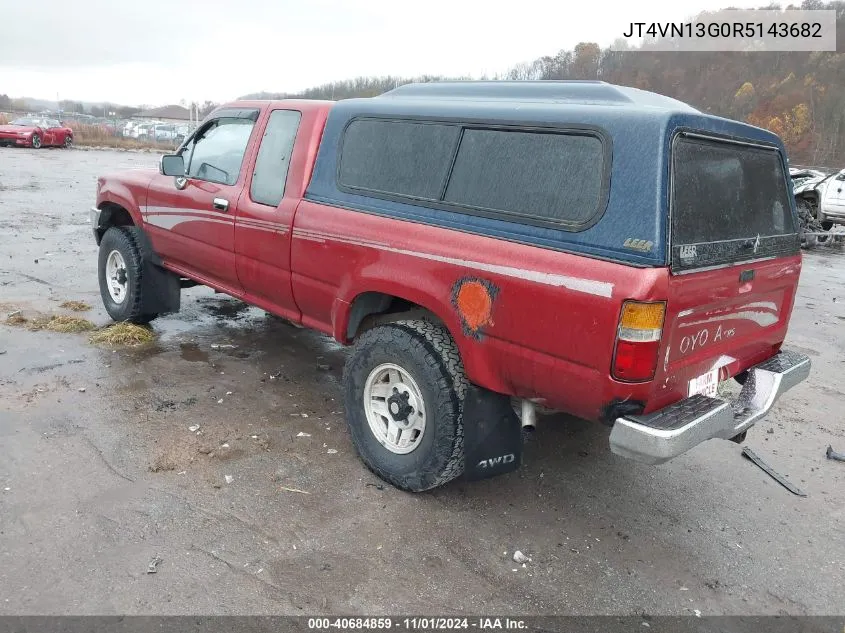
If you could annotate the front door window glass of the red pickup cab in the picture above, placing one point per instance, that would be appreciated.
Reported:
(216, 154)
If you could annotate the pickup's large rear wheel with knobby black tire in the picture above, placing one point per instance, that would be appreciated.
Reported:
(404, 390)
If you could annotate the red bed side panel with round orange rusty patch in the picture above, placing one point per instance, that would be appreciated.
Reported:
(528, 321)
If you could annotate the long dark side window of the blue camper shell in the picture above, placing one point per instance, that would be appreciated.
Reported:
(555, 177)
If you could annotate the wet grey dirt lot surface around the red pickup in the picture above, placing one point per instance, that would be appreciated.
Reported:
(248, 515)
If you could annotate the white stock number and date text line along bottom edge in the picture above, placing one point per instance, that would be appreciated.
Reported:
(417, 623)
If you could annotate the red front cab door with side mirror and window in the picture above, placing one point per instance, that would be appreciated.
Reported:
(191, 220)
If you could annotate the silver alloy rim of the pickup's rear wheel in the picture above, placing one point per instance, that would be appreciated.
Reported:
(395, 408)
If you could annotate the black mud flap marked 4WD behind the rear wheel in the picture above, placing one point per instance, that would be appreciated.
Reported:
(492, 434)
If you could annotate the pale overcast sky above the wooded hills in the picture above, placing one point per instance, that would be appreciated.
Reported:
(158, 52)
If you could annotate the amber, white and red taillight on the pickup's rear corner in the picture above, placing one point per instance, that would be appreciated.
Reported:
(638, 340)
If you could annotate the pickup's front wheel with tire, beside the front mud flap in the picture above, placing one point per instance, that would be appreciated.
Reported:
(121, 268)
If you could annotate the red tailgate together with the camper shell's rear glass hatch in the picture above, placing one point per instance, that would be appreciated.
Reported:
(735, 263)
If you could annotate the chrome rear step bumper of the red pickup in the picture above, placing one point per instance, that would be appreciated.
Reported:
(658, 437)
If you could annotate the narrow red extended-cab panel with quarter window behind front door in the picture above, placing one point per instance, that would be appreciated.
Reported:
(264, 218)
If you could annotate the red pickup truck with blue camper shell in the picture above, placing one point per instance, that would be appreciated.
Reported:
(488, 248)
